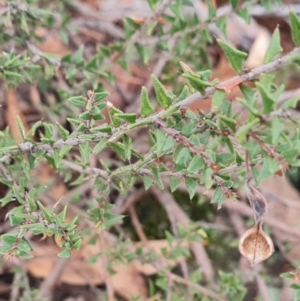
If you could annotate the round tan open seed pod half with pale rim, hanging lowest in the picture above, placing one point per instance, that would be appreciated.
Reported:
(256, 245)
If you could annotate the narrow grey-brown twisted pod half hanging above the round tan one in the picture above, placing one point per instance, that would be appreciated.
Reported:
(257, 200)
